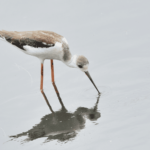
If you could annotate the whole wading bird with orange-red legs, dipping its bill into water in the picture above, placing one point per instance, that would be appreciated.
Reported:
(47, 45)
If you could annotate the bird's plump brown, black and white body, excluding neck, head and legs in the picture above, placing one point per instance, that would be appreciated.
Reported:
(44, 44)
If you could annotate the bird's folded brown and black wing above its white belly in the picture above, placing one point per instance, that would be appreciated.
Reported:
(32, 38)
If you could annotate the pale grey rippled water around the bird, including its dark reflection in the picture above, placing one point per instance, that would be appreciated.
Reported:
(114, 36)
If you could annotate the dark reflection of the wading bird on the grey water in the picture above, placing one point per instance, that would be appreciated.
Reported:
(61, 125)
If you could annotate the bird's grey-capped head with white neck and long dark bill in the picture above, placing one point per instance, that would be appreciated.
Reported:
(82, 63)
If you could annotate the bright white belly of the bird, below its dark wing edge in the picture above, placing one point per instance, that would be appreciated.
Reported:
(54, 52)
